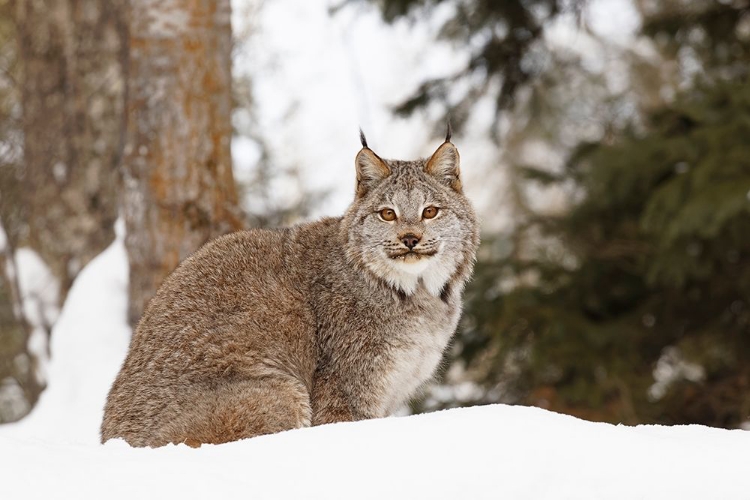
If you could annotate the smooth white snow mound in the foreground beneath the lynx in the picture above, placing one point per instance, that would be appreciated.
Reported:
(483, 452)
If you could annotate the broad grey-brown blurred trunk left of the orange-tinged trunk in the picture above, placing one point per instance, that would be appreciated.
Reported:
(73, 102)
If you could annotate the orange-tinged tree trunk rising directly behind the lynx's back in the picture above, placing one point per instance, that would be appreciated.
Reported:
(179, 187)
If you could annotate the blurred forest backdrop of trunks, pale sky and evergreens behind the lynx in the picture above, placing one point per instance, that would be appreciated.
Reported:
(613, 282)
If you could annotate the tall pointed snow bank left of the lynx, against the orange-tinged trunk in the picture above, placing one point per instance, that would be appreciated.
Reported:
(89, 342)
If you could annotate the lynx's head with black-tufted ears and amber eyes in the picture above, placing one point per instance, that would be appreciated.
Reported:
(410, 222)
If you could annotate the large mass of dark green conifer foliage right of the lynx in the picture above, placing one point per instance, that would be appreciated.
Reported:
(637, 306)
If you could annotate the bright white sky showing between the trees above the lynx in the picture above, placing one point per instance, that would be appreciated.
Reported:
(319, 77)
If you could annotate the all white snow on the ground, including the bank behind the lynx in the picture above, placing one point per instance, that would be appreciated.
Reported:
(485, 452)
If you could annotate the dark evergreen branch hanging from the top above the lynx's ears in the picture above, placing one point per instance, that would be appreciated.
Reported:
(502, 40)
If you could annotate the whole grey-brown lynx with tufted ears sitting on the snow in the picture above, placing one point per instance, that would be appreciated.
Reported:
(336, 320)
